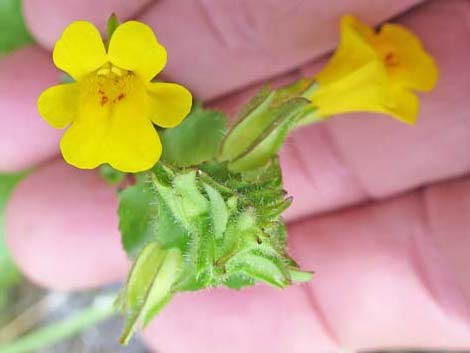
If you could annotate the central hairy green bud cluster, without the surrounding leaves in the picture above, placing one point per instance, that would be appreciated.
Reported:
(232, 230)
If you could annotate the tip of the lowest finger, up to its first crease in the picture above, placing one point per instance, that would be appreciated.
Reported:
(257, 319)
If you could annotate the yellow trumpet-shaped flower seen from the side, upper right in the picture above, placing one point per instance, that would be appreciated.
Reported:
(374, 72)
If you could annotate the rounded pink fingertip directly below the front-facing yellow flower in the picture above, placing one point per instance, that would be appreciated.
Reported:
(62, 229)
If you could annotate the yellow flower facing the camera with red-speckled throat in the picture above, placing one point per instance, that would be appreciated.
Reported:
(112, 105)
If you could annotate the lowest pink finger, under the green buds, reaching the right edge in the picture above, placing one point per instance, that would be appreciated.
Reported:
(385, 278)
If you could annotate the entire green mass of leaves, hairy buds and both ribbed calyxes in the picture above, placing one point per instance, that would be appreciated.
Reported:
(209, 213)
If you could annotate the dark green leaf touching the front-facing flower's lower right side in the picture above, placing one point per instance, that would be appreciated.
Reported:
(195, 140)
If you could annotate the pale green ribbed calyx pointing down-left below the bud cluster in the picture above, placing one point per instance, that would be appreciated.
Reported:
(149, 286)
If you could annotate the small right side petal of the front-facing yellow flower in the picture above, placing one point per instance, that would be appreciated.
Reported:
(170, 103)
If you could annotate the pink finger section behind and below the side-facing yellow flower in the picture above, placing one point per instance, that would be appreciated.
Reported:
(357, 157)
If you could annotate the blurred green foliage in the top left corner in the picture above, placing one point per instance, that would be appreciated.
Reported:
(13, 31)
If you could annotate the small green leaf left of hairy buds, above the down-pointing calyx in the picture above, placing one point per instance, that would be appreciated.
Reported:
(137, 213)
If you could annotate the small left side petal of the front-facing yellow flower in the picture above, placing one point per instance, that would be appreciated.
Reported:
(58, 104)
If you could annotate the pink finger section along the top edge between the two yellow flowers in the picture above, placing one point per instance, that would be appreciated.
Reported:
(216, 47)
